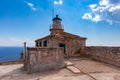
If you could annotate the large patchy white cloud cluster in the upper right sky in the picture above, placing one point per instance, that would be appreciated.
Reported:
(105, 10)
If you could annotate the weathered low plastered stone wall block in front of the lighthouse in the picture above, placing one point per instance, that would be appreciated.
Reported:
(41, 59)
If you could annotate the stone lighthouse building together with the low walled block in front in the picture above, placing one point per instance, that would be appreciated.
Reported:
(50, 51)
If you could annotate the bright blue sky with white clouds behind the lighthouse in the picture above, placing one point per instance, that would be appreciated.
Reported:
(27, 20)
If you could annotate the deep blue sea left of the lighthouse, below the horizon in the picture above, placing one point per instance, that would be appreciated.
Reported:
(10, 53)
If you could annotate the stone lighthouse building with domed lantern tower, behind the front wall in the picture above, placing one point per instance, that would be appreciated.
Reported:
(73, 45)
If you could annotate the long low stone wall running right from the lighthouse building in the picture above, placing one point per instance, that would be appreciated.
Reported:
(106, 54)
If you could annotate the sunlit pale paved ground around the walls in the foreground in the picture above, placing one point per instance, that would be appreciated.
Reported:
(90, 70)
